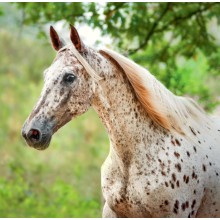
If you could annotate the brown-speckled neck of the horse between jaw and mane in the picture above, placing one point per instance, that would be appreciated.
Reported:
(115, 102)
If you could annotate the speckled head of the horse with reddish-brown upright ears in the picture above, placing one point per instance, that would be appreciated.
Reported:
(67, 92)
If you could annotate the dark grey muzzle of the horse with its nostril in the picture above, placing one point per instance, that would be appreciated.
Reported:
(37, 134)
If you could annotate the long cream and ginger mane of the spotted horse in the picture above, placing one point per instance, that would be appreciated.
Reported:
(171, 112)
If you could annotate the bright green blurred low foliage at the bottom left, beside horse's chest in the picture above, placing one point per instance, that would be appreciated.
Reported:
(19, 198)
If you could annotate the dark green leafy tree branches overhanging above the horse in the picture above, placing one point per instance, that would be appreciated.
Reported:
(134, 26)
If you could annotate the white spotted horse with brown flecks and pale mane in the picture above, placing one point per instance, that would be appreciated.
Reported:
(164, 149)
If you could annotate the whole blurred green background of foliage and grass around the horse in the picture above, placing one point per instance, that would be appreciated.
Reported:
(177, 42)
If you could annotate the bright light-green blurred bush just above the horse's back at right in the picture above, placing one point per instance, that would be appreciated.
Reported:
(191, 79)
